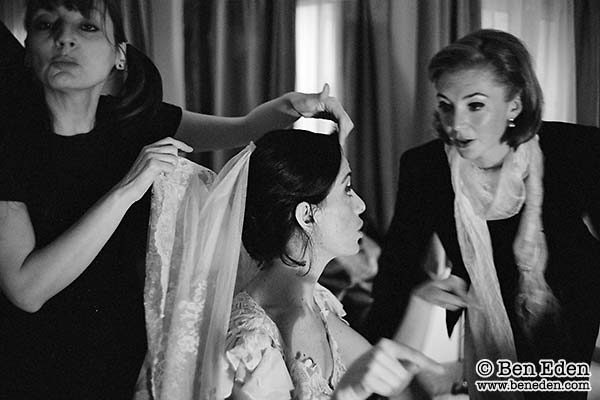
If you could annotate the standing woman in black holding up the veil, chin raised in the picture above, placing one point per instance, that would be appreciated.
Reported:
(75, 167)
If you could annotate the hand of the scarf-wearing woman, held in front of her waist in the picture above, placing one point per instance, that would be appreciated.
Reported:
(449, 293)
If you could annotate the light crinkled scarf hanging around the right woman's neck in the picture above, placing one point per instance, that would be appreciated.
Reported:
(488, 330)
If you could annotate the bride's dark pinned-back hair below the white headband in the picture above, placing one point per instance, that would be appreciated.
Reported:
(286, 168)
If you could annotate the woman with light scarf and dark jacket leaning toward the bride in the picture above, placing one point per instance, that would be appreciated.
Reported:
(507, 195)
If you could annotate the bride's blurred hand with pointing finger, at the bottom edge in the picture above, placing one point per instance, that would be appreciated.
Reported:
(386, 369)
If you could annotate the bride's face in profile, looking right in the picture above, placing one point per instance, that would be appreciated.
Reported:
(337, 222)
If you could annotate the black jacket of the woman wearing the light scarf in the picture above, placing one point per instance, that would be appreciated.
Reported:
(425, 204)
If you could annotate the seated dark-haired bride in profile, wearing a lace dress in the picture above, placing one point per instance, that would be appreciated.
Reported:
(301, 212)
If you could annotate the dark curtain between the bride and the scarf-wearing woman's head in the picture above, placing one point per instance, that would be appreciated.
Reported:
(387, 46)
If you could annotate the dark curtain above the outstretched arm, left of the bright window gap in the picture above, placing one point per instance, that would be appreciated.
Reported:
(239, 54)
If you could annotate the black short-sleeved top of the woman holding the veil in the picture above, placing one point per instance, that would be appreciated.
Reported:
(88, 341)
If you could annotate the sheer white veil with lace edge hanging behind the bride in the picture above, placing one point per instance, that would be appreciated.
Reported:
(191, 265)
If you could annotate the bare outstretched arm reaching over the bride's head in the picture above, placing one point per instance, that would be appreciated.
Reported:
(207, 132)
